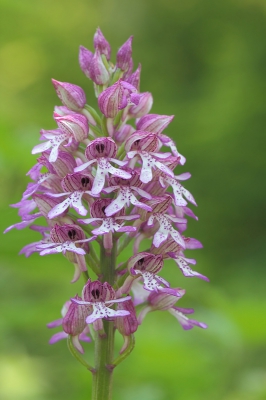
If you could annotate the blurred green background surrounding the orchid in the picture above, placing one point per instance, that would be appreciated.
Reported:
(205, 62)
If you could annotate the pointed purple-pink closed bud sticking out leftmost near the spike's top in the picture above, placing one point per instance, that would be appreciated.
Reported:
(72, 96)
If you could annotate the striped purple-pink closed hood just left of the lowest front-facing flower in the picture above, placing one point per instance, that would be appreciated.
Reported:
(74, 322)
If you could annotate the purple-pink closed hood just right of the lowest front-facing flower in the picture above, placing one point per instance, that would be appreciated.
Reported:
(128, 324)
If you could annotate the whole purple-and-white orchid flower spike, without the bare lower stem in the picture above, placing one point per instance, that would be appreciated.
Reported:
(109, 184)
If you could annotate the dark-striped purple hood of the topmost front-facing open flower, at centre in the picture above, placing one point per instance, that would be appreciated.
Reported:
(101, 147)
